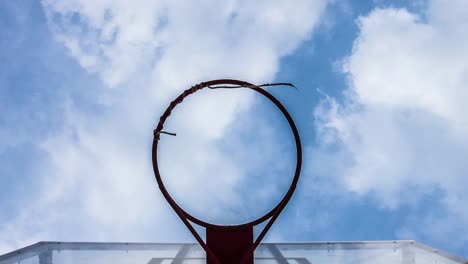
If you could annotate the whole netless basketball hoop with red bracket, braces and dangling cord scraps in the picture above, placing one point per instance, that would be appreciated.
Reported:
(228, 243)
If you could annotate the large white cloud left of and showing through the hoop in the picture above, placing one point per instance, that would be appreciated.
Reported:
(98, 184)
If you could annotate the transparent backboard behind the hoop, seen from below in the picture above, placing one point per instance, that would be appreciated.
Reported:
(375, 252)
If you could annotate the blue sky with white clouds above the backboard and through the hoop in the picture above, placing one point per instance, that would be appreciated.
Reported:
(380, 109)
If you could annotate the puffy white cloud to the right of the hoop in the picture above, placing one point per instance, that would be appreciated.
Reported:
(401, 130)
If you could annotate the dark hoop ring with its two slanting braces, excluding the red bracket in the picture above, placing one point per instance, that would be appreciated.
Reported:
(185, 216)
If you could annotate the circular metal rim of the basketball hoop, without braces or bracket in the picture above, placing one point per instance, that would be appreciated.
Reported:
(285, 113)
